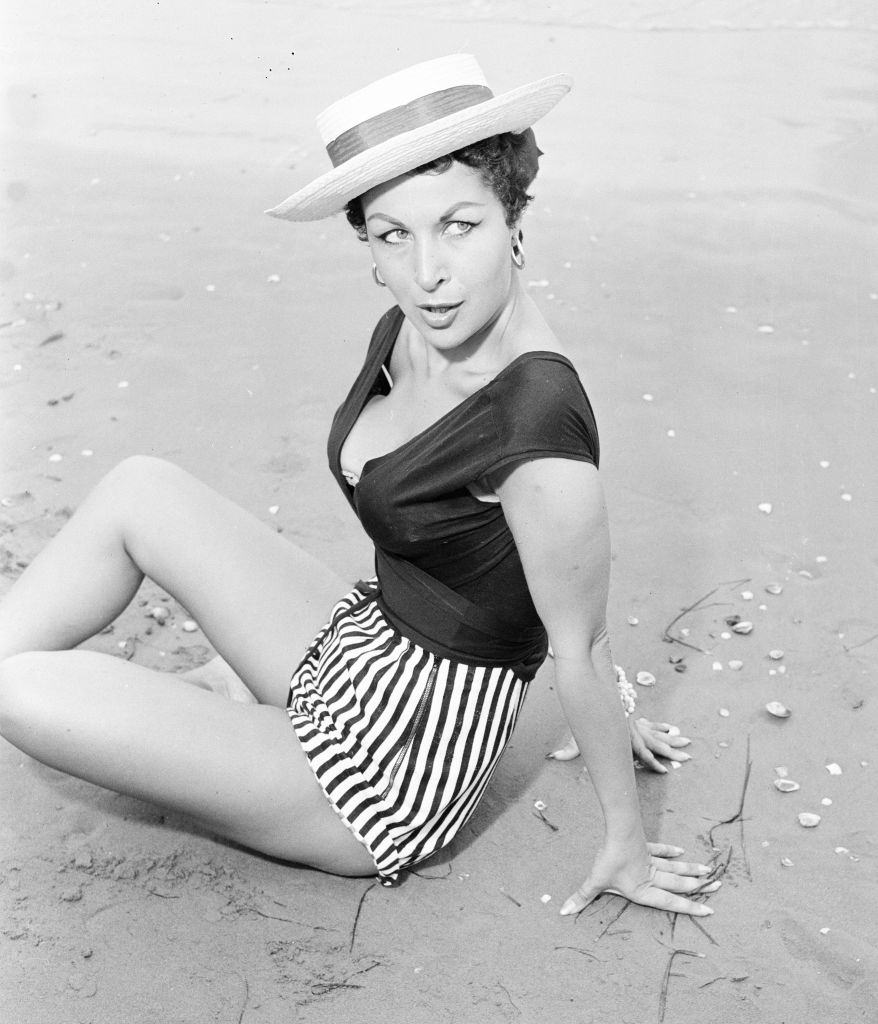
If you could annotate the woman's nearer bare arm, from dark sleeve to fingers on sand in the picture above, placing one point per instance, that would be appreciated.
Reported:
(557, 514)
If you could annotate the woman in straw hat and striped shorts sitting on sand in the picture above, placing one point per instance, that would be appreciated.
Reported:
(469, 450)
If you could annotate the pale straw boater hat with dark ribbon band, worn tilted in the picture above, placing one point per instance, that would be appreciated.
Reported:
(408, 119)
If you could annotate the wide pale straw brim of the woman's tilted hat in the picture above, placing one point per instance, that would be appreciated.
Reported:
(513, 112)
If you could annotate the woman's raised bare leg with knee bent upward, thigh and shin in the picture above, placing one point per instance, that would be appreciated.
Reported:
(259, 599)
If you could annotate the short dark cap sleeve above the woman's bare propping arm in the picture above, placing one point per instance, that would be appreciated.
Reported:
(541, 410)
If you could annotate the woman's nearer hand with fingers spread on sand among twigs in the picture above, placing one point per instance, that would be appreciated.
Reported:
(651, 877)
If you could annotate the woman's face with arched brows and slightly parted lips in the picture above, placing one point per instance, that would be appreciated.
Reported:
(442, 245)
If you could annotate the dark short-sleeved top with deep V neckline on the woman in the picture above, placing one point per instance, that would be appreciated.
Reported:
(449, 573)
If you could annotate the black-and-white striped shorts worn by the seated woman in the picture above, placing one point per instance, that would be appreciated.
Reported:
(402, 741)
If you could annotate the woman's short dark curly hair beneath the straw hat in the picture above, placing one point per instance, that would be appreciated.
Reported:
(508, 164)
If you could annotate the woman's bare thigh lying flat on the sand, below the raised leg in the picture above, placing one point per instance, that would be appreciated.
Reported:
(237, 769)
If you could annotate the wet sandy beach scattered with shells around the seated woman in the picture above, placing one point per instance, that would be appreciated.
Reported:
(703, 241)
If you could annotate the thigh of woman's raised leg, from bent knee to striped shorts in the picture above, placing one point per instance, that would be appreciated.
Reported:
(259, 599)
